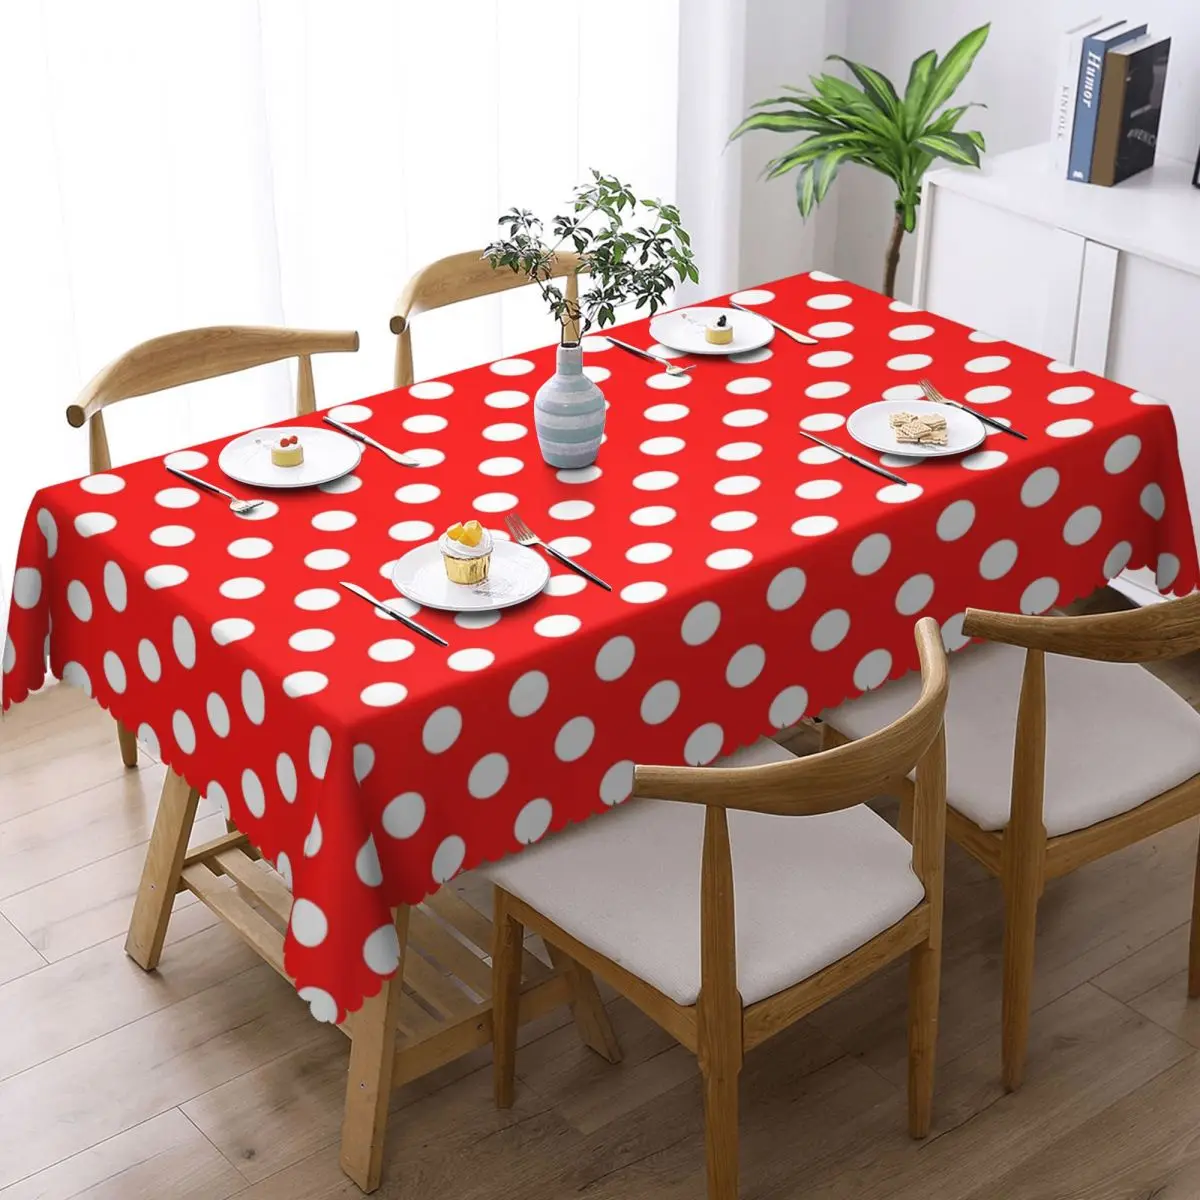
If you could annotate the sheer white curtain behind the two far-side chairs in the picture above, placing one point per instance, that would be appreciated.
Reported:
(172, 164)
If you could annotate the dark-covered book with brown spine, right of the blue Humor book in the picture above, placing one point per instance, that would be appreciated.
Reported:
(1130, 110)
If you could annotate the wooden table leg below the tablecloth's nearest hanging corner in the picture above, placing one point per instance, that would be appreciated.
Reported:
(373, 1063)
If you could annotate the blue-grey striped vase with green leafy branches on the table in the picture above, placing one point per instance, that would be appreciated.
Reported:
(633, 251)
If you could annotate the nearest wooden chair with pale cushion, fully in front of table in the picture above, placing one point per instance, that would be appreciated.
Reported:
(821, 903)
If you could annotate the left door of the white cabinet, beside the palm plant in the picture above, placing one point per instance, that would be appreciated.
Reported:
(1000, 273)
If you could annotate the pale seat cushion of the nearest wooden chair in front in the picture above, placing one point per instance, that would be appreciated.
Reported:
(807, 890)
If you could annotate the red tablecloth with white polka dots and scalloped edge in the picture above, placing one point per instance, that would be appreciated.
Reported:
(757, 579)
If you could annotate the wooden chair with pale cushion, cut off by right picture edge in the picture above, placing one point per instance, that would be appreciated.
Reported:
(1058, 757)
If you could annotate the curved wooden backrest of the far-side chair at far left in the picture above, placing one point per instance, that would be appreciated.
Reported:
(191, 356)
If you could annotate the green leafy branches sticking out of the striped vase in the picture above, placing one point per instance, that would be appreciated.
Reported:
(628, 263)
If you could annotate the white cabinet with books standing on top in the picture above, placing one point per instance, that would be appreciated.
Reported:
(1105, 278)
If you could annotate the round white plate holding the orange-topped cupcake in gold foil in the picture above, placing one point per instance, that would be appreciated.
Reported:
(518, 574)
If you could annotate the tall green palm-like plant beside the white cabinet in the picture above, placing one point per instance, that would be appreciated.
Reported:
(872, 124)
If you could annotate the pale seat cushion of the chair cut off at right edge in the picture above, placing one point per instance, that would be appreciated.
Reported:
(1117, 736)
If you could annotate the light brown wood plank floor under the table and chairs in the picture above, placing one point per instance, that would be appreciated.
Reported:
(208, 1079)
